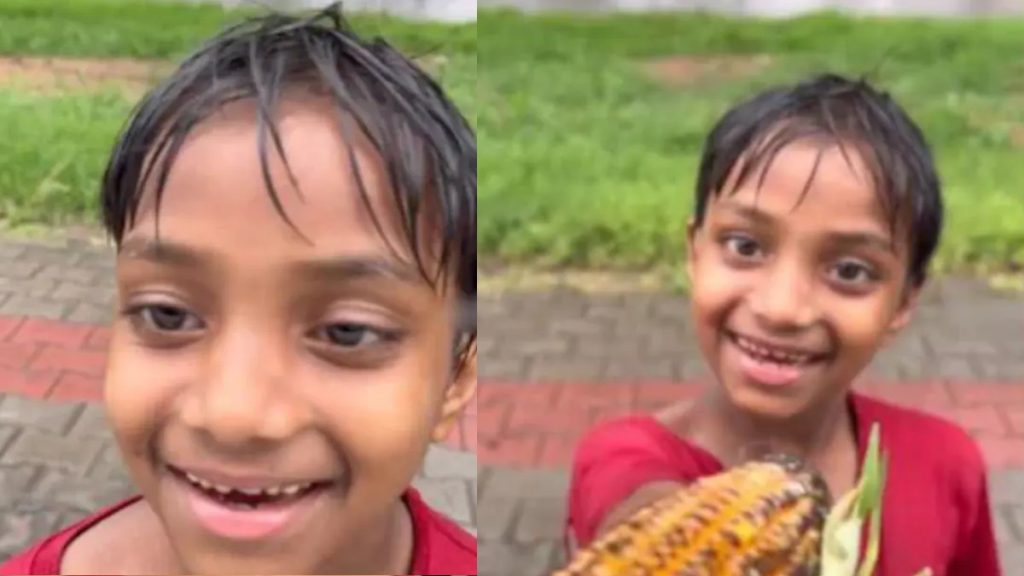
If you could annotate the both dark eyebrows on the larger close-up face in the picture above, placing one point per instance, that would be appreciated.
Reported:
(350, 269)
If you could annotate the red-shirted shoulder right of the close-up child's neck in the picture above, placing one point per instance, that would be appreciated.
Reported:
(442, 546)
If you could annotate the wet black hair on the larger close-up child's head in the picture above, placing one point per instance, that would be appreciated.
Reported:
(428, 148)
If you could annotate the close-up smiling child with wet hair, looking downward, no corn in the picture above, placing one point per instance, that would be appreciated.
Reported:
(295, 218)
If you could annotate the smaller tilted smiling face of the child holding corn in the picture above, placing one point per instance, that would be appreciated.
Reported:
(793, 298)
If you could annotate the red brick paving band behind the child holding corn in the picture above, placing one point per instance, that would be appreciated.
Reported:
(538, 425)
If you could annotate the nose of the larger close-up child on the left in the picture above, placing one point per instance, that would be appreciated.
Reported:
(243, 396)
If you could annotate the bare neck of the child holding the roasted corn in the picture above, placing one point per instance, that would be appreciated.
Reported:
(738, 436)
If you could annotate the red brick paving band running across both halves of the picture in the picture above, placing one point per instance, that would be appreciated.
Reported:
(535, 425)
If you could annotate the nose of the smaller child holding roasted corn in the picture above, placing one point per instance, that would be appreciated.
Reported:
(785, 299)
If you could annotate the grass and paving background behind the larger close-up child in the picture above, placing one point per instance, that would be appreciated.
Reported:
(70, 73)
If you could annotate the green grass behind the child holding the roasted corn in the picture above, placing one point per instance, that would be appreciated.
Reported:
(587, 162)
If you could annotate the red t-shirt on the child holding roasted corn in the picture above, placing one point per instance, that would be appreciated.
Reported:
(936, 510)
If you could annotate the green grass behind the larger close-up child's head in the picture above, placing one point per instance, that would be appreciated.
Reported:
(57, 141)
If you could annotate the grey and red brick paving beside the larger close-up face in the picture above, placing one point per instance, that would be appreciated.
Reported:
(58, 461)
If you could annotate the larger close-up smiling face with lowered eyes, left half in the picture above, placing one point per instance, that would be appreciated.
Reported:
(248, 357)
